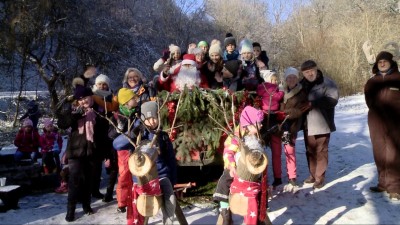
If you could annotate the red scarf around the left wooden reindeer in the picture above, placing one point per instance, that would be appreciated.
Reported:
(152, 188)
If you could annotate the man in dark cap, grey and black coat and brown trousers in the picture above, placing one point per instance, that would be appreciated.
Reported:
(323, 96)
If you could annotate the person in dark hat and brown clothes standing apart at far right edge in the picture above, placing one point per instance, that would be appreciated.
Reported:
(382, 95)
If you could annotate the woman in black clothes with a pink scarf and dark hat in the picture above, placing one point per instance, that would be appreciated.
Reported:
(81, 151)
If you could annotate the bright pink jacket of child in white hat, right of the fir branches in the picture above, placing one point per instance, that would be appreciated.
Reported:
(271, 96)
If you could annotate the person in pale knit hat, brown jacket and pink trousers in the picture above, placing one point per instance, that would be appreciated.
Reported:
(294, 99)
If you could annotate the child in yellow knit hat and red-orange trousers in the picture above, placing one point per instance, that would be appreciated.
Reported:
(128, 102)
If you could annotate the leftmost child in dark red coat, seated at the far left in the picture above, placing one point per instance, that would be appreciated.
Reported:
(27, 142)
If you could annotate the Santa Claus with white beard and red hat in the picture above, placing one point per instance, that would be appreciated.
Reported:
(184, 75)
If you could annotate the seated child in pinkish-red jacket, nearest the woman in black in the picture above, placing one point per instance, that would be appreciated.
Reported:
(51, 146)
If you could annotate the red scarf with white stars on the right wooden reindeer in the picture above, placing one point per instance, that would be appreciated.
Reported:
(250, 190)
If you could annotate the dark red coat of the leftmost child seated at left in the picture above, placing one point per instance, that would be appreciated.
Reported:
(27, 142)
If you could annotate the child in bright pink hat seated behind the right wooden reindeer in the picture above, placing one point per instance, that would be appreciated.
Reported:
(250, 122)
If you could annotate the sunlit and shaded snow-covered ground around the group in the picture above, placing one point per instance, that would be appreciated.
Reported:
(345, 199)
